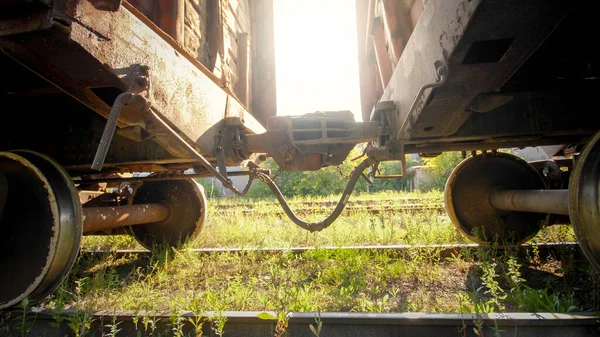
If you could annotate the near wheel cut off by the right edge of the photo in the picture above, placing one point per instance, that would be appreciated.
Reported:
(584, 202)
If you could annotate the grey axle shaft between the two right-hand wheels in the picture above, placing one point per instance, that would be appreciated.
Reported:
(536, 201)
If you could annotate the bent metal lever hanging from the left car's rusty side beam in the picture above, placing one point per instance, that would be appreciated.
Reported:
(139, 84)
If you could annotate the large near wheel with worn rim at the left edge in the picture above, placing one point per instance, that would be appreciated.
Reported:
(40, 226)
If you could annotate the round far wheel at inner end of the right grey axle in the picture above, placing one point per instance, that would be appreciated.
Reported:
(467, 199)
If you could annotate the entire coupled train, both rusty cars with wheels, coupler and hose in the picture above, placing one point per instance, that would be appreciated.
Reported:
(96, 91)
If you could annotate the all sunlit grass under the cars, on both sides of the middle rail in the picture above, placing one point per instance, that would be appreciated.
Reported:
(330, 280)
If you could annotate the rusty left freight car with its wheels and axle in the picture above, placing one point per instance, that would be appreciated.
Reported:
(99, 90)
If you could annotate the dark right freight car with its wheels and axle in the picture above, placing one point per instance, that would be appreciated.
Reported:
(478, 76)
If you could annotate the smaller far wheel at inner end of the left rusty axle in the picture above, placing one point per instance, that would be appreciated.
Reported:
(187, 212)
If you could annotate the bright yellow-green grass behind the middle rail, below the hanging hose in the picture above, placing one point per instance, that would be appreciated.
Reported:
(230, 225)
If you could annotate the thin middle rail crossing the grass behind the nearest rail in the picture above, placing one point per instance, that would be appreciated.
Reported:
(444, 250)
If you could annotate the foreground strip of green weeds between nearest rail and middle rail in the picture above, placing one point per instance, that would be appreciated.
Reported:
(326, 280)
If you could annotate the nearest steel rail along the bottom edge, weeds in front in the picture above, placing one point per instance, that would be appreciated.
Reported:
(51, 323)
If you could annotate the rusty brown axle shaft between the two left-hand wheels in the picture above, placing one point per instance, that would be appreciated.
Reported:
(98, 218)
